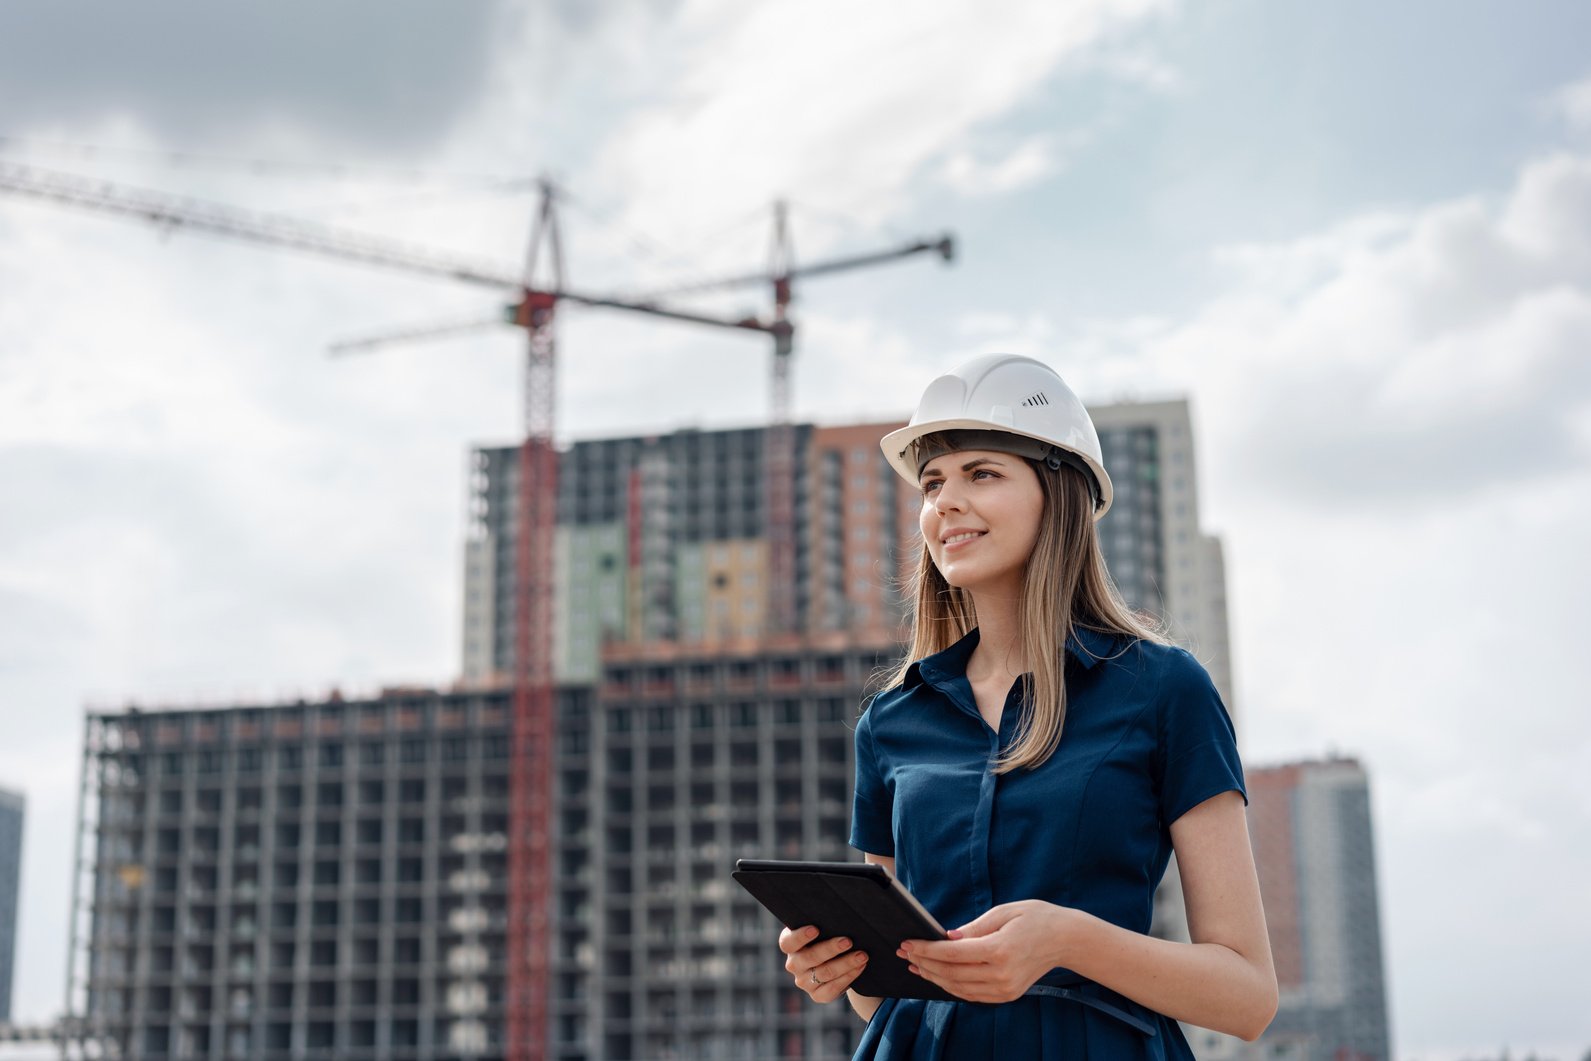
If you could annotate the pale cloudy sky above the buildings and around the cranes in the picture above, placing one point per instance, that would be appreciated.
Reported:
(1358, 236)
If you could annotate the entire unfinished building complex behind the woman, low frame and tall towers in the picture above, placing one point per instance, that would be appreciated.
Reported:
(332, 879)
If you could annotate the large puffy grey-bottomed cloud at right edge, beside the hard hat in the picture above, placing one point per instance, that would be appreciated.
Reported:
(1396, 359)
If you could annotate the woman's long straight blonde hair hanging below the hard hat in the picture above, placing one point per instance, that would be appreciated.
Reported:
(1067, 588)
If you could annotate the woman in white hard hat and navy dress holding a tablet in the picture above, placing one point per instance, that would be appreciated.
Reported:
(1037, 761)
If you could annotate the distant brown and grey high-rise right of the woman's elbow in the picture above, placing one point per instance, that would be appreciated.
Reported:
(1315, 852)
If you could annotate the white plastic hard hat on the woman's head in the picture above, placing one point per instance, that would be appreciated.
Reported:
(1006, 403)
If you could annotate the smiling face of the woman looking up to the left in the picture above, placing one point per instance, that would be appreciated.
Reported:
(981, 519)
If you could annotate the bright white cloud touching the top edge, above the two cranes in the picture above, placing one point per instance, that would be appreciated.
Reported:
(850, 119)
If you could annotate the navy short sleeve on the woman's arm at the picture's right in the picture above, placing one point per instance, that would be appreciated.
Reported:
(1199, 748)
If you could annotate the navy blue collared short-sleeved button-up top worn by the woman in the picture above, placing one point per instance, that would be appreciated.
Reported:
(1145, 740)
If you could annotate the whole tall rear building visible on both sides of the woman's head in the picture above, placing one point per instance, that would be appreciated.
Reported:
(664, 538)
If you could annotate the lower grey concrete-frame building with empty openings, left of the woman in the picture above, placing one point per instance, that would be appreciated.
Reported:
(329, 880)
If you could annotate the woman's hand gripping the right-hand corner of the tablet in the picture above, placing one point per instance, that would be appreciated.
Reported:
(997, 957)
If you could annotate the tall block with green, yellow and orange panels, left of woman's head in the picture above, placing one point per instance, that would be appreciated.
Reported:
(664, 538)
